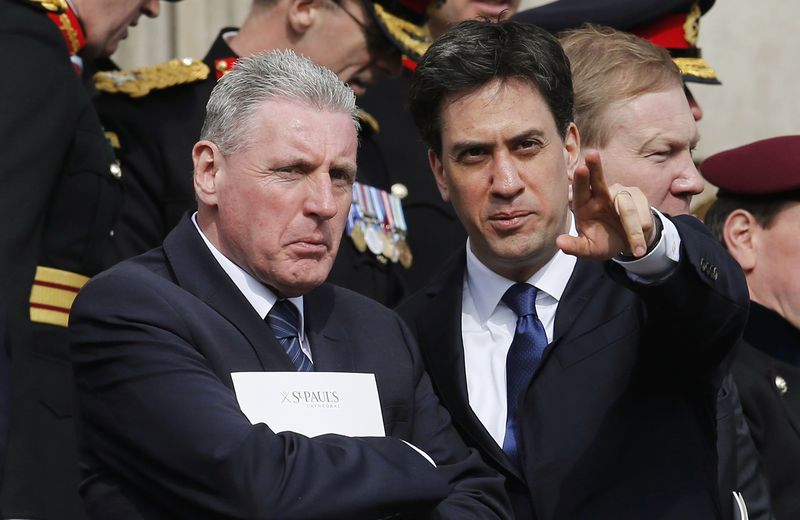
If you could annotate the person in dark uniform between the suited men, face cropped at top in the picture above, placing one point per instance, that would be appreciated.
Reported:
(434, 230)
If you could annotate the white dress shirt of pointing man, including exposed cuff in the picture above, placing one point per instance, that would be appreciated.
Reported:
(487, 324)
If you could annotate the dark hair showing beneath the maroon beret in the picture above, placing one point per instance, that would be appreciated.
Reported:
(764, 209)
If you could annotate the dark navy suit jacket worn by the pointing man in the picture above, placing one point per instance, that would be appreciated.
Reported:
(619, 421)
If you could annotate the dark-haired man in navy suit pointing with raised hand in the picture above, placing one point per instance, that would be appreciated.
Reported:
(568, 349)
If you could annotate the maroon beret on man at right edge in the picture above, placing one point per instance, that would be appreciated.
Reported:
(764, 167)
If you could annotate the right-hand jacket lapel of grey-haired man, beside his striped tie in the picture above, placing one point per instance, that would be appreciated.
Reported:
(327, 335)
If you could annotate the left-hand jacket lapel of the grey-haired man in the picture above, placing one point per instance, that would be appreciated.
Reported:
(197, 271)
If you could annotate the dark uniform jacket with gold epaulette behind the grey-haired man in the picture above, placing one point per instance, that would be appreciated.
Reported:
(156, 133)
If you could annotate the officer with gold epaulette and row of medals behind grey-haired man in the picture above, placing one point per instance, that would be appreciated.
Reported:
(157, 112)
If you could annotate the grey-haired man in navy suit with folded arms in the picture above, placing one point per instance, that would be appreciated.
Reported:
(156, 339)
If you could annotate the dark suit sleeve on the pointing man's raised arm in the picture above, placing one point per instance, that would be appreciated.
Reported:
(702, 303)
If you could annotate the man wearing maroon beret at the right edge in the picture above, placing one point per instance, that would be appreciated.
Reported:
(756, 216)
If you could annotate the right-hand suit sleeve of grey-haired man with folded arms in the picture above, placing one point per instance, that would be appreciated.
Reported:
(476, 491)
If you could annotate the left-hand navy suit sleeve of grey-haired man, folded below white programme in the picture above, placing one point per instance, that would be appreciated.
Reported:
(153, 414)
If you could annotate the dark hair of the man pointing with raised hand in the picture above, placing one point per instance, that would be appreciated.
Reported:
(475, 53)
